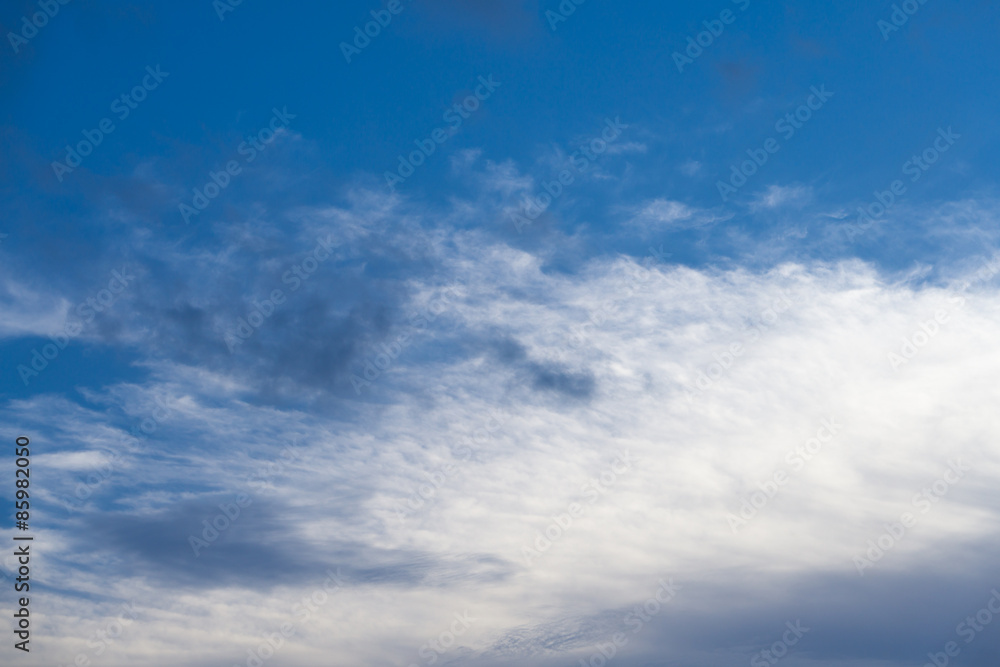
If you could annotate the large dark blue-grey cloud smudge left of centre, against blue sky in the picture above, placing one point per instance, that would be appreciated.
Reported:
(303, 346)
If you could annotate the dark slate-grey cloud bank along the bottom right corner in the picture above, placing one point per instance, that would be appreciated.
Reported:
(884, 618)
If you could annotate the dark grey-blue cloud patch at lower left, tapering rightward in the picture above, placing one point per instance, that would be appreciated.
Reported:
(257, 550)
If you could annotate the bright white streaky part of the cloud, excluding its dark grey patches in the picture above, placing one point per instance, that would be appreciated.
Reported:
(820, 352)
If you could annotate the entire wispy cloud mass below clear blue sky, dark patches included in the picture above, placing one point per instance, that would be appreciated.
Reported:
(484, 424)
